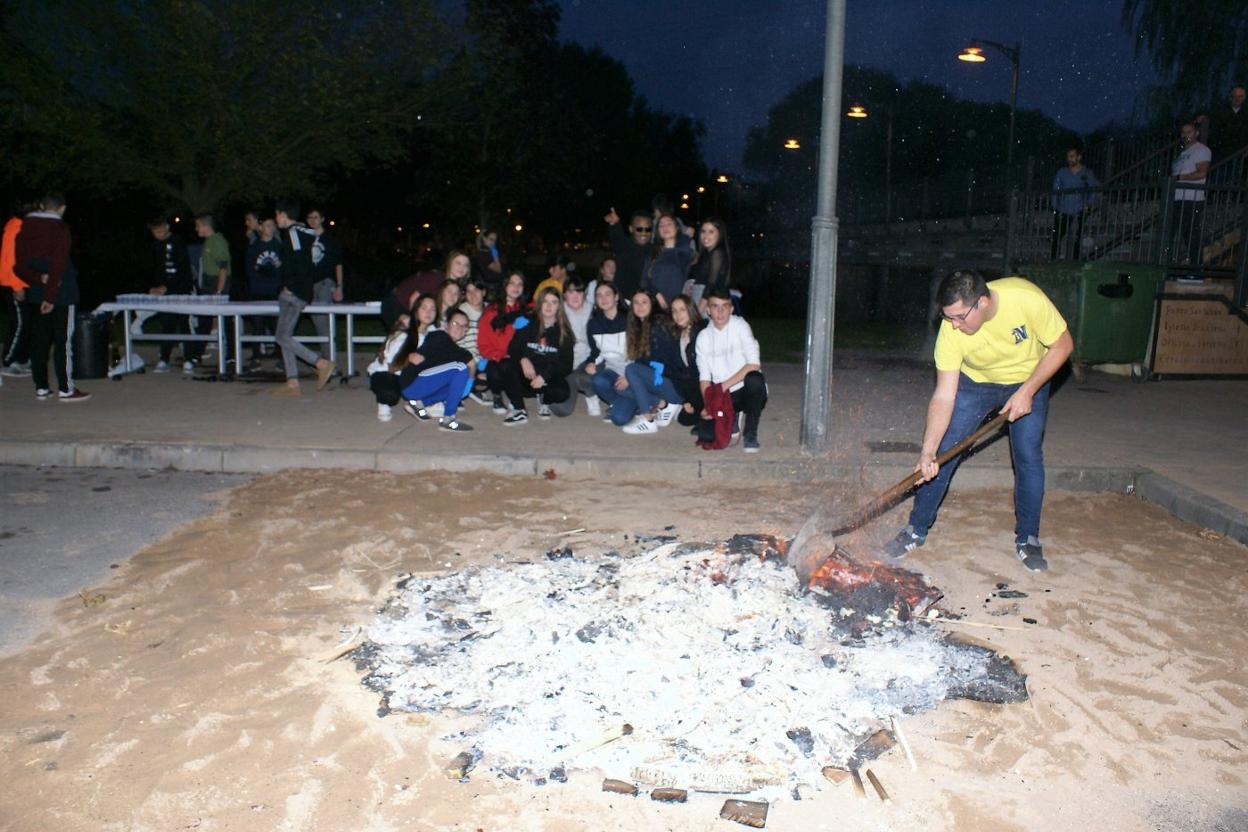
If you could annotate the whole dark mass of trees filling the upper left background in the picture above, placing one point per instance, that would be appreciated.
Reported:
(399, 112)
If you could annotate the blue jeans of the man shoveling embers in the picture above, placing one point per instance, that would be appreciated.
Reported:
(977, 401)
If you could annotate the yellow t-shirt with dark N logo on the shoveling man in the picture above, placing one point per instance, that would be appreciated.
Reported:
(1005, 350)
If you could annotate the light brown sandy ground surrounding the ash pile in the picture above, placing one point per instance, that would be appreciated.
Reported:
(192, 692)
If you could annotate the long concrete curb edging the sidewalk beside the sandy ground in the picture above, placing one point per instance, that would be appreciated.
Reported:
(1182, 502)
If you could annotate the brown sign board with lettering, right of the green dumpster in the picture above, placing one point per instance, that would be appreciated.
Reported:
(1199, 334)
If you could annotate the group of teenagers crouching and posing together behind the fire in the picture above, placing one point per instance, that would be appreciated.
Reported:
(645, 351)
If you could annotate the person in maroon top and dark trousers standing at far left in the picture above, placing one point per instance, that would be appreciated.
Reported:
(42, 259)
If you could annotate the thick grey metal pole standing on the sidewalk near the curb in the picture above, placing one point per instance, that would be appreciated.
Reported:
(817, 397)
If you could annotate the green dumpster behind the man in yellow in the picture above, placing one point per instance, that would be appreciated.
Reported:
(1109, 307)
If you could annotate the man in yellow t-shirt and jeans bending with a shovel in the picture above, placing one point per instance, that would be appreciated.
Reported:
(998, 347)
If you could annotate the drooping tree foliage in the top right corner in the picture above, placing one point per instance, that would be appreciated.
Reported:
(1200, 49)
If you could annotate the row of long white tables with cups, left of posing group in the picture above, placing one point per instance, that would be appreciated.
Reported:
(239, 311)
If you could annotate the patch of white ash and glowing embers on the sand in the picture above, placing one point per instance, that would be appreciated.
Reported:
(701, 667)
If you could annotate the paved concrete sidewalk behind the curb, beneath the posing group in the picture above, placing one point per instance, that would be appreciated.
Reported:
(1182, 445)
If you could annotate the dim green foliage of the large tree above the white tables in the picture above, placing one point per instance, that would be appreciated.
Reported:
(199, 103)
